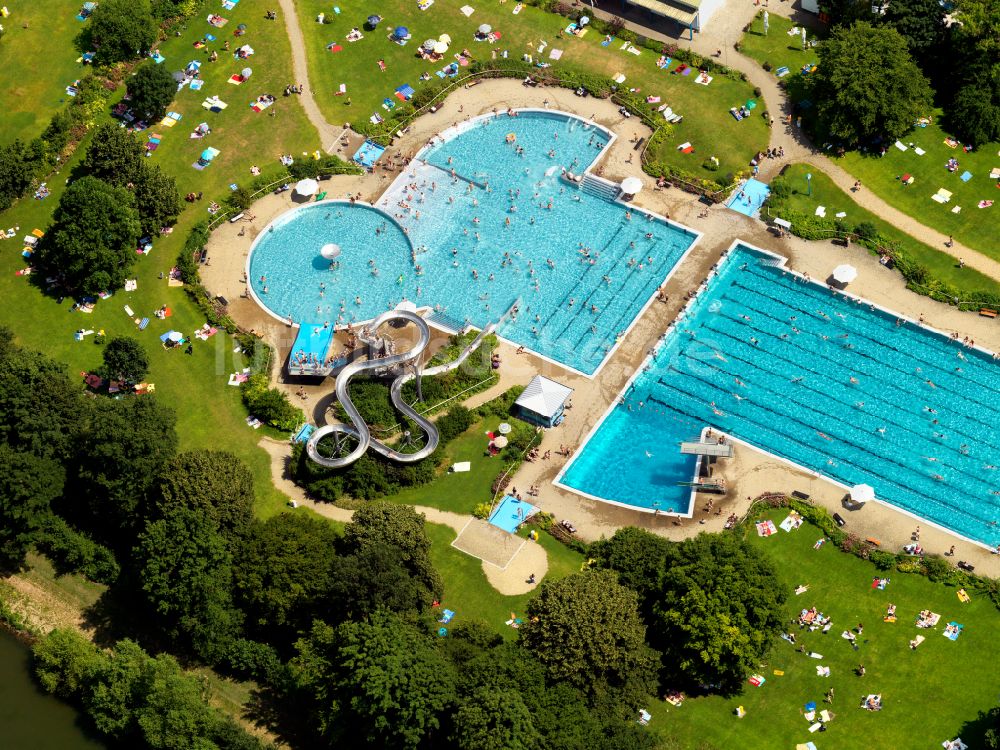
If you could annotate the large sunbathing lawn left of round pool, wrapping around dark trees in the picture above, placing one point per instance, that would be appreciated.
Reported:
(210, 414)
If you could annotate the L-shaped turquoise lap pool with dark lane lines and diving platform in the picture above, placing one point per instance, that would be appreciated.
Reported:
(819, 380)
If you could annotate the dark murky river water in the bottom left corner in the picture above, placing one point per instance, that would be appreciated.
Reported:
(30, 719)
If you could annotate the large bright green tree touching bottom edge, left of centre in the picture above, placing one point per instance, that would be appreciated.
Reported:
(380, 682)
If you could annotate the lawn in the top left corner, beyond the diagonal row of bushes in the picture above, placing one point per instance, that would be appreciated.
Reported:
(38, 63)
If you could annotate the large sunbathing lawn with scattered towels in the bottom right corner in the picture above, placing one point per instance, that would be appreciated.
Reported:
(928, 695)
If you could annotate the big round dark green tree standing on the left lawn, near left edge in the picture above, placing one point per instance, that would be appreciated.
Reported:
(91, 243)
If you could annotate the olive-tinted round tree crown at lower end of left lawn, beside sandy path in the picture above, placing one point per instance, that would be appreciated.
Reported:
(215, 484)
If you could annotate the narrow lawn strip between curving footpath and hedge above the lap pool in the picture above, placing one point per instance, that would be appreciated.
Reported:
(826, 193)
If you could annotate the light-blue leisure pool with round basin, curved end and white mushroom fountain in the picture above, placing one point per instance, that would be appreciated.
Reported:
(504, 230)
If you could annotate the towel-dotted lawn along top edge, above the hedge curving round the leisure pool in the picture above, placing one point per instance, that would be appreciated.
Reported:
(707, 122)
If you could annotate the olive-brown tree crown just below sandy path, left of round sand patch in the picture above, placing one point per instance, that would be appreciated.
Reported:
(398, 526)
